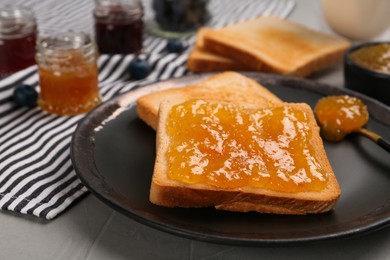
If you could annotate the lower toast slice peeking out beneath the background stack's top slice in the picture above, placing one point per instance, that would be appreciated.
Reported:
(201, 60)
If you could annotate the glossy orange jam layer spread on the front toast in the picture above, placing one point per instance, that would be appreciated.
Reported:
(230, 146)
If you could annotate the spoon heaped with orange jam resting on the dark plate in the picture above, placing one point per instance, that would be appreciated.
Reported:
(341, 115)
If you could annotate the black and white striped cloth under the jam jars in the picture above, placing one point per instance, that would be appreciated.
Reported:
(36, 174)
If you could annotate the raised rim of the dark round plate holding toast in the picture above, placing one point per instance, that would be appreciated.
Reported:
(122, 101)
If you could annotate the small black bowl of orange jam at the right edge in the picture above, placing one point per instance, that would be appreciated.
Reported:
(367, 69)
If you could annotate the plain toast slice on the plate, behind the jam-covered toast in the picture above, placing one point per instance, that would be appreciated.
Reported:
(226, 86)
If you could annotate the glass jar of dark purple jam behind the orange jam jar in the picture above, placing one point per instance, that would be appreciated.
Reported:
(118, 26)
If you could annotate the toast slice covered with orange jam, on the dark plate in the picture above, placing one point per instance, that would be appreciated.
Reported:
(288, 184)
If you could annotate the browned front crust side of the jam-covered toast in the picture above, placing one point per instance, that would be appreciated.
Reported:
(187, 197)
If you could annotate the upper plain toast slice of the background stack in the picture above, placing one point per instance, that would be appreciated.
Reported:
(276, 45)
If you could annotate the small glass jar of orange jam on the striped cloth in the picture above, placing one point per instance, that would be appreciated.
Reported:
(68, 73)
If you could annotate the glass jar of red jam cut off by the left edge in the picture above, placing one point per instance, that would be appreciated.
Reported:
(18, 31)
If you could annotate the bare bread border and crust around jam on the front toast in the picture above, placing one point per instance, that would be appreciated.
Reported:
(172, 193)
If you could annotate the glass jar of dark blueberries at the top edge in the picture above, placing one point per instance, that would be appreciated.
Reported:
(178, 18)
